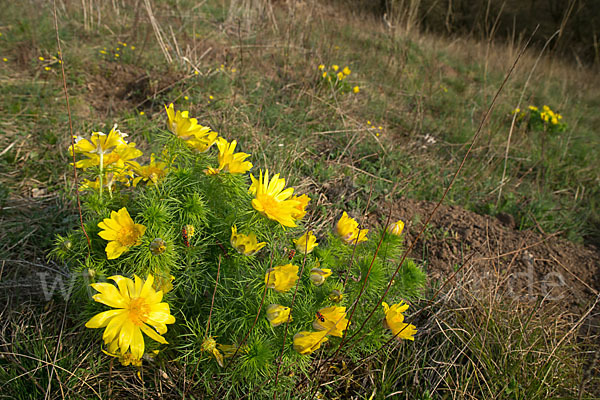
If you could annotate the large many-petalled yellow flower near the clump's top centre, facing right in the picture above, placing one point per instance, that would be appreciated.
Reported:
(272, 200)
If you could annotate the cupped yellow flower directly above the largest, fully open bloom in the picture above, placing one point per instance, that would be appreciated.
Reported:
(121, 232)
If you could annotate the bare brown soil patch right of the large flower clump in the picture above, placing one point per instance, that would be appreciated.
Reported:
(492, 254)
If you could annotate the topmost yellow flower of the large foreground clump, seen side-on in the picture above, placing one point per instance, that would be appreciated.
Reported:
(197, 136)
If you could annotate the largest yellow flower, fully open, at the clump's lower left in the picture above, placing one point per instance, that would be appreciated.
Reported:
(137, 308)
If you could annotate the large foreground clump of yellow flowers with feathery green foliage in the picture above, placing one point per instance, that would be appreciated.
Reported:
(201, 259)
